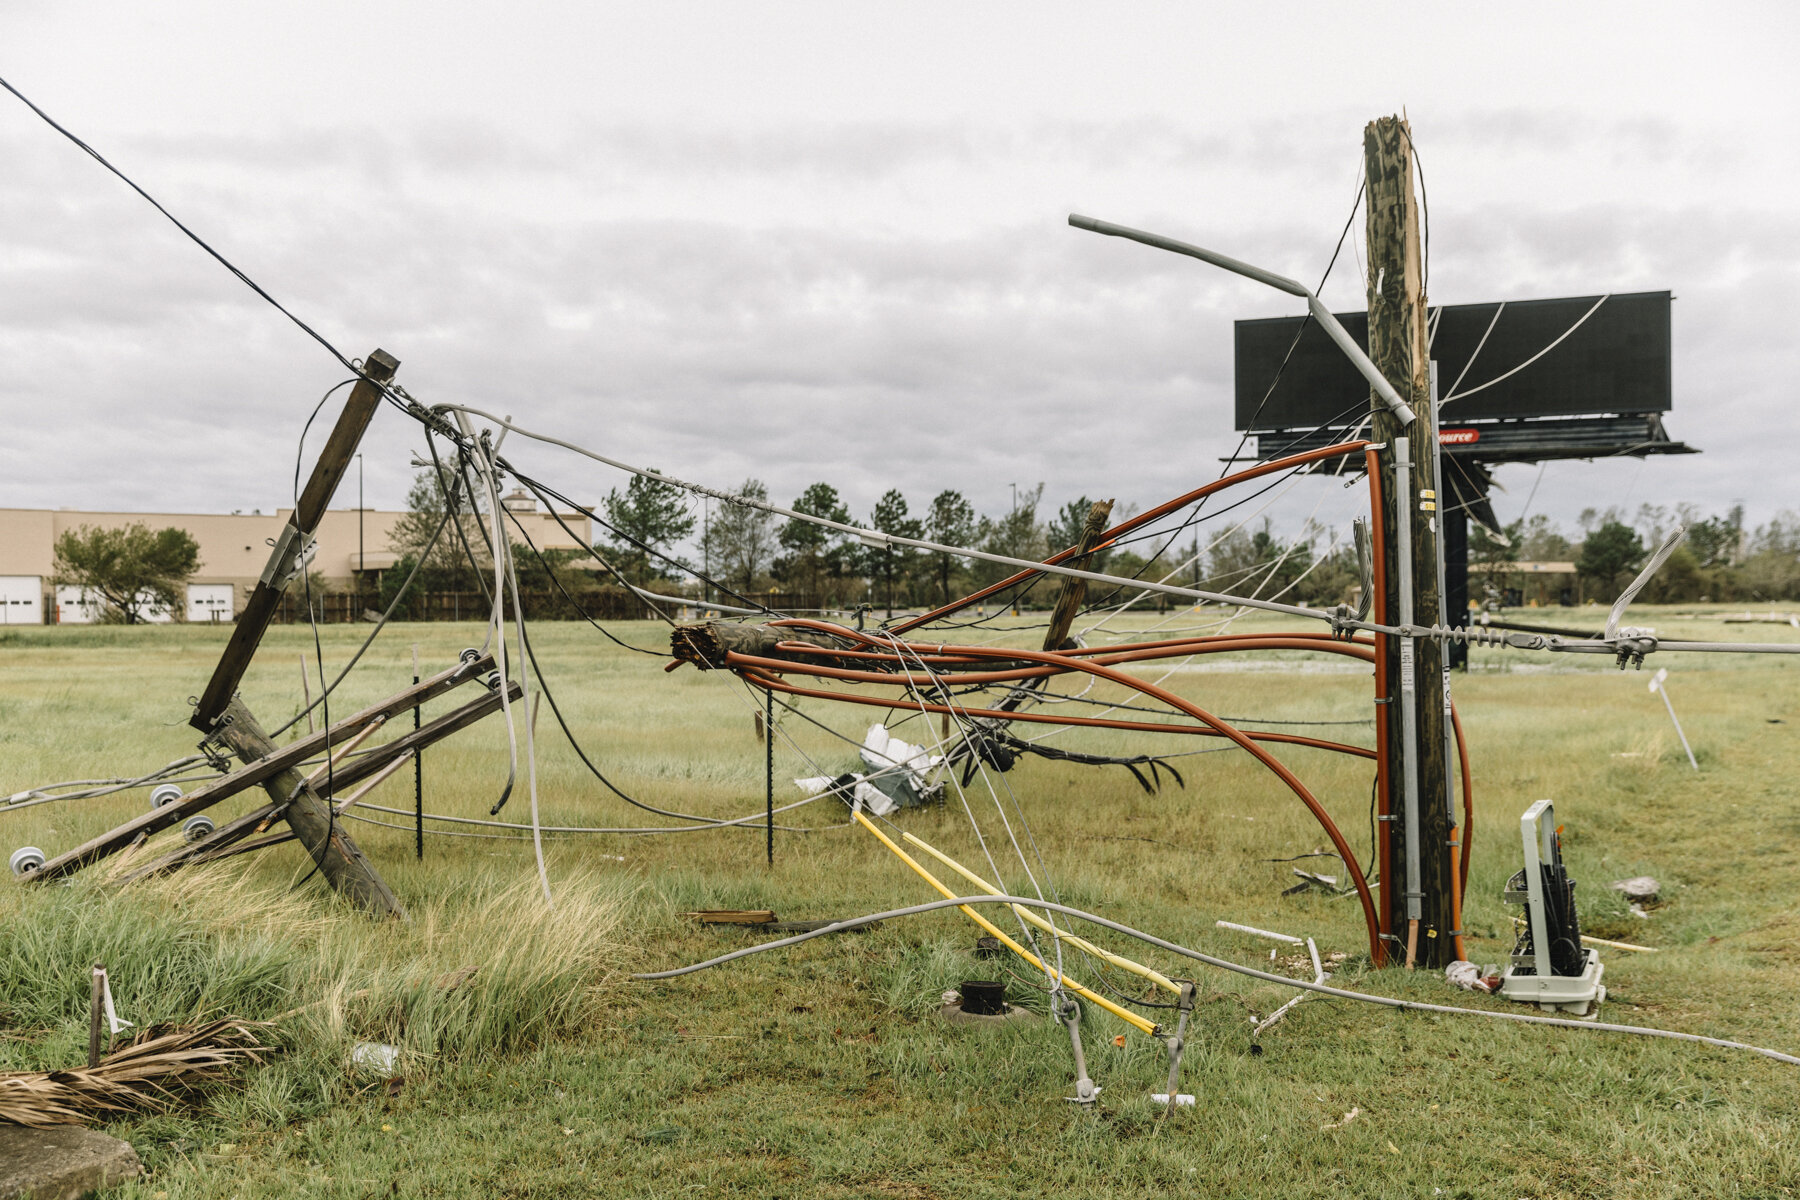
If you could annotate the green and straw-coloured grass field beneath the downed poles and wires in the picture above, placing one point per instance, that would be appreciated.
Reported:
(823, 1071)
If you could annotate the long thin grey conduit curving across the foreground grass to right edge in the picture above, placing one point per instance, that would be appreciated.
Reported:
(1227, 965)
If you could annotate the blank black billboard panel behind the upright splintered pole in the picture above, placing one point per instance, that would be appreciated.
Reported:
(1615, 363)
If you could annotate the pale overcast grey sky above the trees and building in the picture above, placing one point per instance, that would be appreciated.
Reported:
(829, 242)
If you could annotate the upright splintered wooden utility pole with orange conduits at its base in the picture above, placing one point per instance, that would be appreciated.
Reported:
(1419, 828)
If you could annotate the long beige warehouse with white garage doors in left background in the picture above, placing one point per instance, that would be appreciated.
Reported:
(233, 551)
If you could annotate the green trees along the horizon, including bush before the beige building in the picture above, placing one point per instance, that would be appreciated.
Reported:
(751, 551)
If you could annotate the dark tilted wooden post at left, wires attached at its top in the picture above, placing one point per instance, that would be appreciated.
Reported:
(309, 512)
